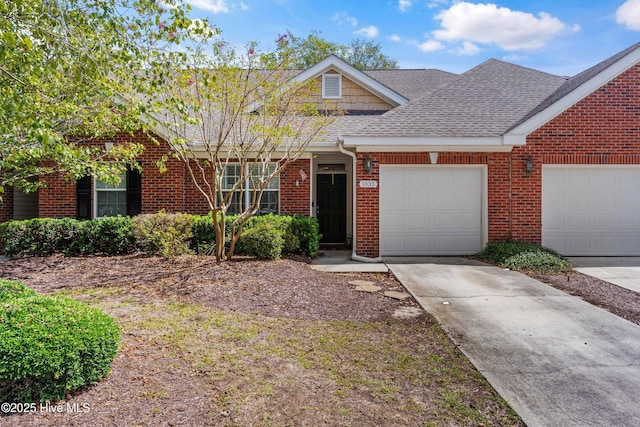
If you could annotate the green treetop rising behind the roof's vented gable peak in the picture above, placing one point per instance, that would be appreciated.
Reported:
(308, 51)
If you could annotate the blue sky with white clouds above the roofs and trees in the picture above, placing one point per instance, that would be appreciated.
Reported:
(561, 37)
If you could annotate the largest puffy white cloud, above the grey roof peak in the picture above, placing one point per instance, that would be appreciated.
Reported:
(490, 24)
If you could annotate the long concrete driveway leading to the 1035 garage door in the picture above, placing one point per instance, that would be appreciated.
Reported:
(556, 359)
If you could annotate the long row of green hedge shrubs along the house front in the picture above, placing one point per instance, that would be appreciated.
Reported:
(161, 233)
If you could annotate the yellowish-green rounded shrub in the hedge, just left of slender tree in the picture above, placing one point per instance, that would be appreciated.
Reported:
(163, 233)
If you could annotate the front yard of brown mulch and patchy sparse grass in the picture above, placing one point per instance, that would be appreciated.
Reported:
(261, 344)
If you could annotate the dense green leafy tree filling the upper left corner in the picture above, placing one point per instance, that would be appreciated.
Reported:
(63, 63)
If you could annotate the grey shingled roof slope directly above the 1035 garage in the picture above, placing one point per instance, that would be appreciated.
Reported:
(485, 101)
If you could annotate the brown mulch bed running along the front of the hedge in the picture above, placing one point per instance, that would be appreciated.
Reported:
(284, 288)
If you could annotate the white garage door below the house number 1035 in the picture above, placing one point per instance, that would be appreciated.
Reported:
(430, 210)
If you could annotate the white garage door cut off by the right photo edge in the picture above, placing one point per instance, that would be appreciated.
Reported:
(591, 210)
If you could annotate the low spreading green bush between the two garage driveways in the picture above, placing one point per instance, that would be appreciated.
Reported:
(524, 256)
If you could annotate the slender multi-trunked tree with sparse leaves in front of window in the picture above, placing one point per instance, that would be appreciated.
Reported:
(236, 120)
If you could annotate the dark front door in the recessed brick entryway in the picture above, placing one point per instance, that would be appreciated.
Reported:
(331, 208)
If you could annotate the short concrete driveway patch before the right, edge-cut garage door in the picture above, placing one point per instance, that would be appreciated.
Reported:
(621, 271)
